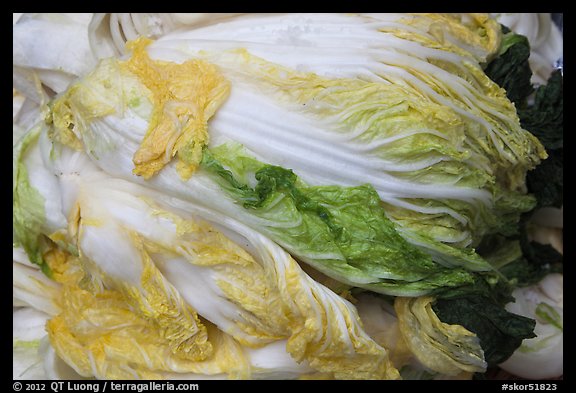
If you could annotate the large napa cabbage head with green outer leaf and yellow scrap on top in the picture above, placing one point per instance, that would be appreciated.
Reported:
(407, 130)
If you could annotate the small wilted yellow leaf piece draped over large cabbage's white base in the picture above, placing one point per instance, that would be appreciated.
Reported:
(185, 97)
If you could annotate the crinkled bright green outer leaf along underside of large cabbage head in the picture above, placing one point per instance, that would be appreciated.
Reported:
(341, 231)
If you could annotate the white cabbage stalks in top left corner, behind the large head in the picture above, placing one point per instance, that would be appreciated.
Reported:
(83, 38)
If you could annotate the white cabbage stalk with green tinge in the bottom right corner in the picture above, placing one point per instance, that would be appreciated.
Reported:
(540, 357)
